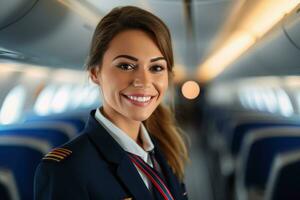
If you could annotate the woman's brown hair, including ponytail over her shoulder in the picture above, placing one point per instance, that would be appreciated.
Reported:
(161, 124)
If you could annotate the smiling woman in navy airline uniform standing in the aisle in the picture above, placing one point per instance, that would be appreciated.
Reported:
(130, 148)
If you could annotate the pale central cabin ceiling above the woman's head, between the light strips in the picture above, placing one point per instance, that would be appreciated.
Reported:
(194, 25)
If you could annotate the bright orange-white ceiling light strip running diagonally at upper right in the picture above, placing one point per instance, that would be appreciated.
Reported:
(258, 20)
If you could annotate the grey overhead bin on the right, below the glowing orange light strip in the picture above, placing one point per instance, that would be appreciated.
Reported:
(277, 53)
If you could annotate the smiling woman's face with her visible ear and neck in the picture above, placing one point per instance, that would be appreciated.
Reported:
(133, 80)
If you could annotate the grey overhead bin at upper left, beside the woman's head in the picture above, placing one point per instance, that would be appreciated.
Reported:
(43, 32)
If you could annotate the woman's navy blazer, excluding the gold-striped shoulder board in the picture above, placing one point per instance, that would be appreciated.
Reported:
(98, 168)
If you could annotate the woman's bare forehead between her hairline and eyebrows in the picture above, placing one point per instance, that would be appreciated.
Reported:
(133, 42)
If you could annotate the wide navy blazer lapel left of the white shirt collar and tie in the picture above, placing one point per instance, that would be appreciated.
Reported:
(114, 154)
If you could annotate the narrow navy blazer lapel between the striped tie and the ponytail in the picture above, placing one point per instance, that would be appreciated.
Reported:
(171, 179)
